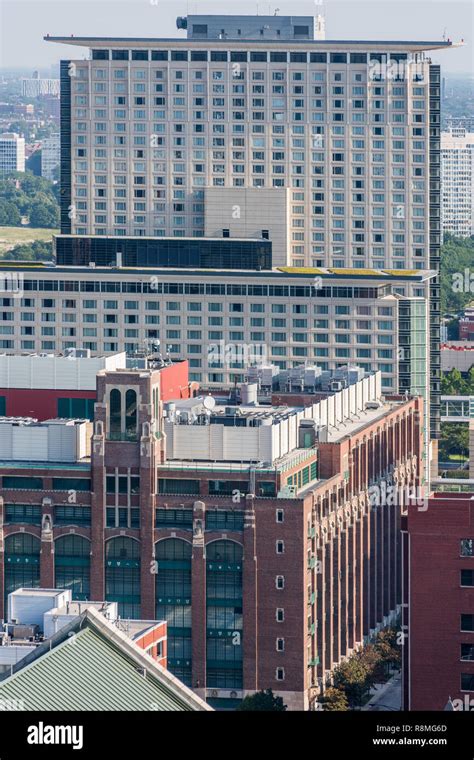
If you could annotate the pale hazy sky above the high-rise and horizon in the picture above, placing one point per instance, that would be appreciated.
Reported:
(24, 22)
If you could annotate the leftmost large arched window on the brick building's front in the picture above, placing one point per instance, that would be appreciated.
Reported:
(22, 563)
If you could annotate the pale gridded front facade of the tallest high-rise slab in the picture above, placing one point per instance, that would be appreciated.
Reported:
(350, 143)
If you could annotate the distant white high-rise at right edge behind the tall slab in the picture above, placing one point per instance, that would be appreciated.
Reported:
(457, 182)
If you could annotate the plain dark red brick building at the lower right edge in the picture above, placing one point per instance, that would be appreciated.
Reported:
(439, 594)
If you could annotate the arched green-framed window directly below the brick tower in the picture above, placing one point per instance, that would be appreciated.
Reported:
(122, 575)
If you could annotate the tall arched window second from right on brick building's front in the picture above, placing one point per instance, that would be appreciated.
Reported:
(173, 602)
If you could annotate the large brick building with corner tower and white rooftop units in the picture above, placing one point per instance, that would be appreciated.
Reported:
(252, 530)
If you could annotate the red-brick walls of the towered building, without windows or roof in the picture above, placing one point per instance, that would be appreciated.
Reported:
(336, 548)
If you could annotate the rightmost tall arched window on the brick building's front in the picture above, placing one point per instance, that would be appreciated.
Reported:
(224, 615)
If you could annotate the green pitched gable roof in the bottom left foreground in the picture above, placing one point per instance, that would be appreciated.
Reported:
(92, 671)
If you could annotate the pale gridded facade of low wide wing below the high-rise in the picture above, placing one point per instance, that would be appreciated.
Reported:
(220, 325)
